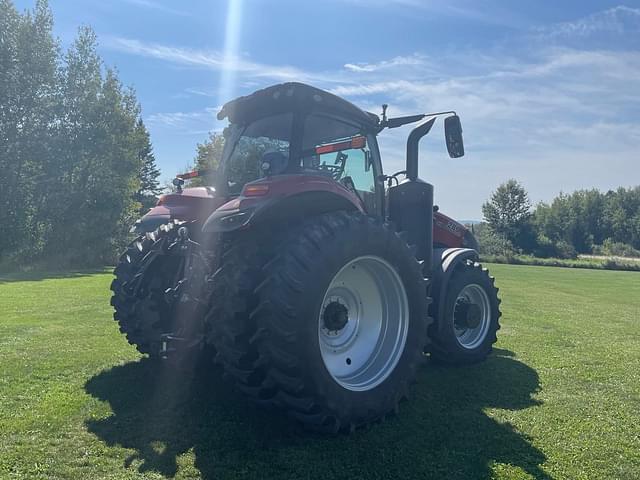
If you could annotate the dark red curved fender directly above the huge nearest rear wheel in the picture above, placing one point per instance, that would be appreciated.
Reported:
(281, 209)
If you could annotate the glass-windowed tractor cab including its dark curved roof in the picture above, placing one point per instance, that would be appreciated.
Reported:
(295, 129)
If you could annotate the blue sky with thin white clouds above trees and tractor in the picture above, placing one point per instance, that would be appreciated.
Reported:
(548, 91)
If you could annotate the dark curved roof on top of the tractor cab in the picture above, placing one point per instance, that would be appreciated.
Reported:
(297, 98)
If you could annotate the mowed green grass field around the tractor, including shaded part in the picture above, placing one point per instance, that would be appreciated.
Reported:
(560, 398)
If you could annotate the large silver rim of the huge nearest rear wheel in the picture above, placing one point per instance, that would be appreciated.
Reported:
(363, 350)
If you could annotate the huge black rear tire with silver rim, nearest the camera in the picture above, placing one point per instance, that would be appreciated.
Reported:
(282, 355)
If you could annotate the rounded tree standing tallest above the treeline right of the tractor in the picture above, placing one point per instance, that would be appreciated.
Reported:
(508, 212)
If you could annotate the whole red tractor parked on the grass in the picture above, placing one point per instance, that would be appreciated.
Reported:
(316, 280)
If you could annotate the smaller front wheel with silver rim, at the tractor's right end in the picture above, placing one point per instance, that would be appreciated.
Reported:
(468, 321)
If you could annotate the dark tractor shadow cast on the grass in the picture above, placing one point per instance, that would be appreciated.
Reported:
(443, 432)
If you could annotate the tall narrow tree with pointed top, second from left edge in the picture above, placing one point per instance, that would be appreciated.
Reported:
(77, 168)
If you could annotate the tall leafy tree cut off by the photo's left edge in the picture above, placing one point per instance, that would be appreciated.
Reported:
(28, 101)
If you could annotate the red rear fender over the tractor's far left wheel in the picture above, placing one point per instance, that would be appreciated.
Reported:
(190, 204)
